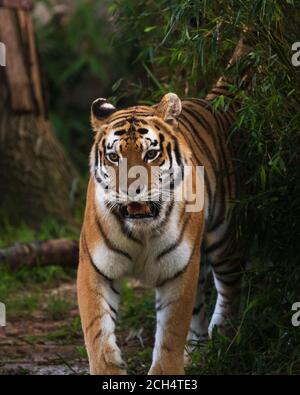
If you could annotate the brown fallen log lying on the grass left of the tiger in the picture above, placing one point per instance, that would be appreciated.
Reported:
(60, 252)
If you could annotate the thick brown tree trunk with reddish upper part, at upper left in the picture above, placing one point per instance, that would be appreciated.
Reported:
(37, 180)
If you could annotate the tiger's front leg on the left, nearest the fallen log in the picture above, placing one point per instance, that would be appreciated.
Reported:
(98, 300)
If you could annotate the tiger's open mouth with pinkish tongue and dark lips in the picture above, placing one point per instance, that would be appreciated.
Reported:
(139, 210)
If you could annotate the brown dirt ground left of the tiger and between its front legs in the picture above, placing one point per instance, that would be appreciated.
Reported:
(39, 344)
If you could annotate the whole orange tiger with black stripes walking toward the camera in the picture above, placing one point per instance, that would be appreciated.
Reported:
(159, 242)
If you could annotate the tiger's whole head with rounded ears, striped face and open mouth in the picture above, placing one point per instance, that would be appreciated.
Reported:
(137, 160)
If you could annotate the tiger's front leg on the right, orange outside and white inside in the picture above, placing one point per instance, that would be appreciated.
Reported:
(174, 304)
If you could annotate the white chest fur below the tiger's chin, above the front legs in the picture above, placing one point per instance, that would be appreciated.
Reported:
(143, 261)
